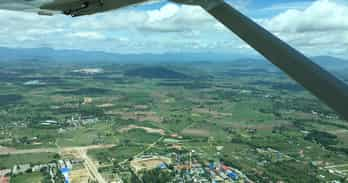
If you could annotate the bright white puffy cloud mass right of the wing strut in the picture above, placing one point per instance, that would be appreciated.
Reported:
(321, 28)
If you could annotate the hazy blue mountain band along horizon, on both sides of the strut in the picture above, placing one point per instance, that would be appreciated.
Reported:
(48, 54)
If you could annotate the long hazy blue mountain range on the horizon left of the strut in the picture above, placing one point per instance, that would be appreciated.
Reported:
(49, 54)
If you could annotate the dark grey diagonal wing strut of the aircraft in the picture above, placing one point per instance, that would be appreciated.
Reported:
(320, 82)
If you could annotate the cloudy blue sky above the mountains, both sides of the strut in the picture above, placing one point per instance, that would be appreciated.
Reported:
(315, 27)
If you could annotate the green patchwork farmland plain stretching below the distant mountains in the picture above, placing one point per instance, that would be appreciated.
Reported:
(240, 106)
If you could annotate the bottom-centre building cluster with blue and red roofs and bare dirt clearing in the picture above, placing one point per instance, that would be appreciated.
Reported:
(188, 167)
